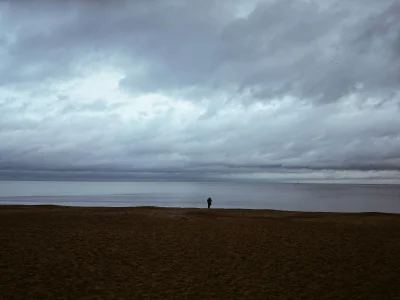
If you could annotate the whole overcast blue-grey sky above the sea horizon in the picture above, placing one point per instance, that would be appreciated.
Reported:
(210, 89)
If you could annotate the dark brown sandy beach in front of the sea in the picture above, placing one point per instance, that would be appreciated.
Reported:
(49, 252)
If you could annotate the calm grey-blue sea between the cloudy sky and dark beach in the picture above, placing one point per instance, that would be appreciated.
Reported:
(281, 196)
